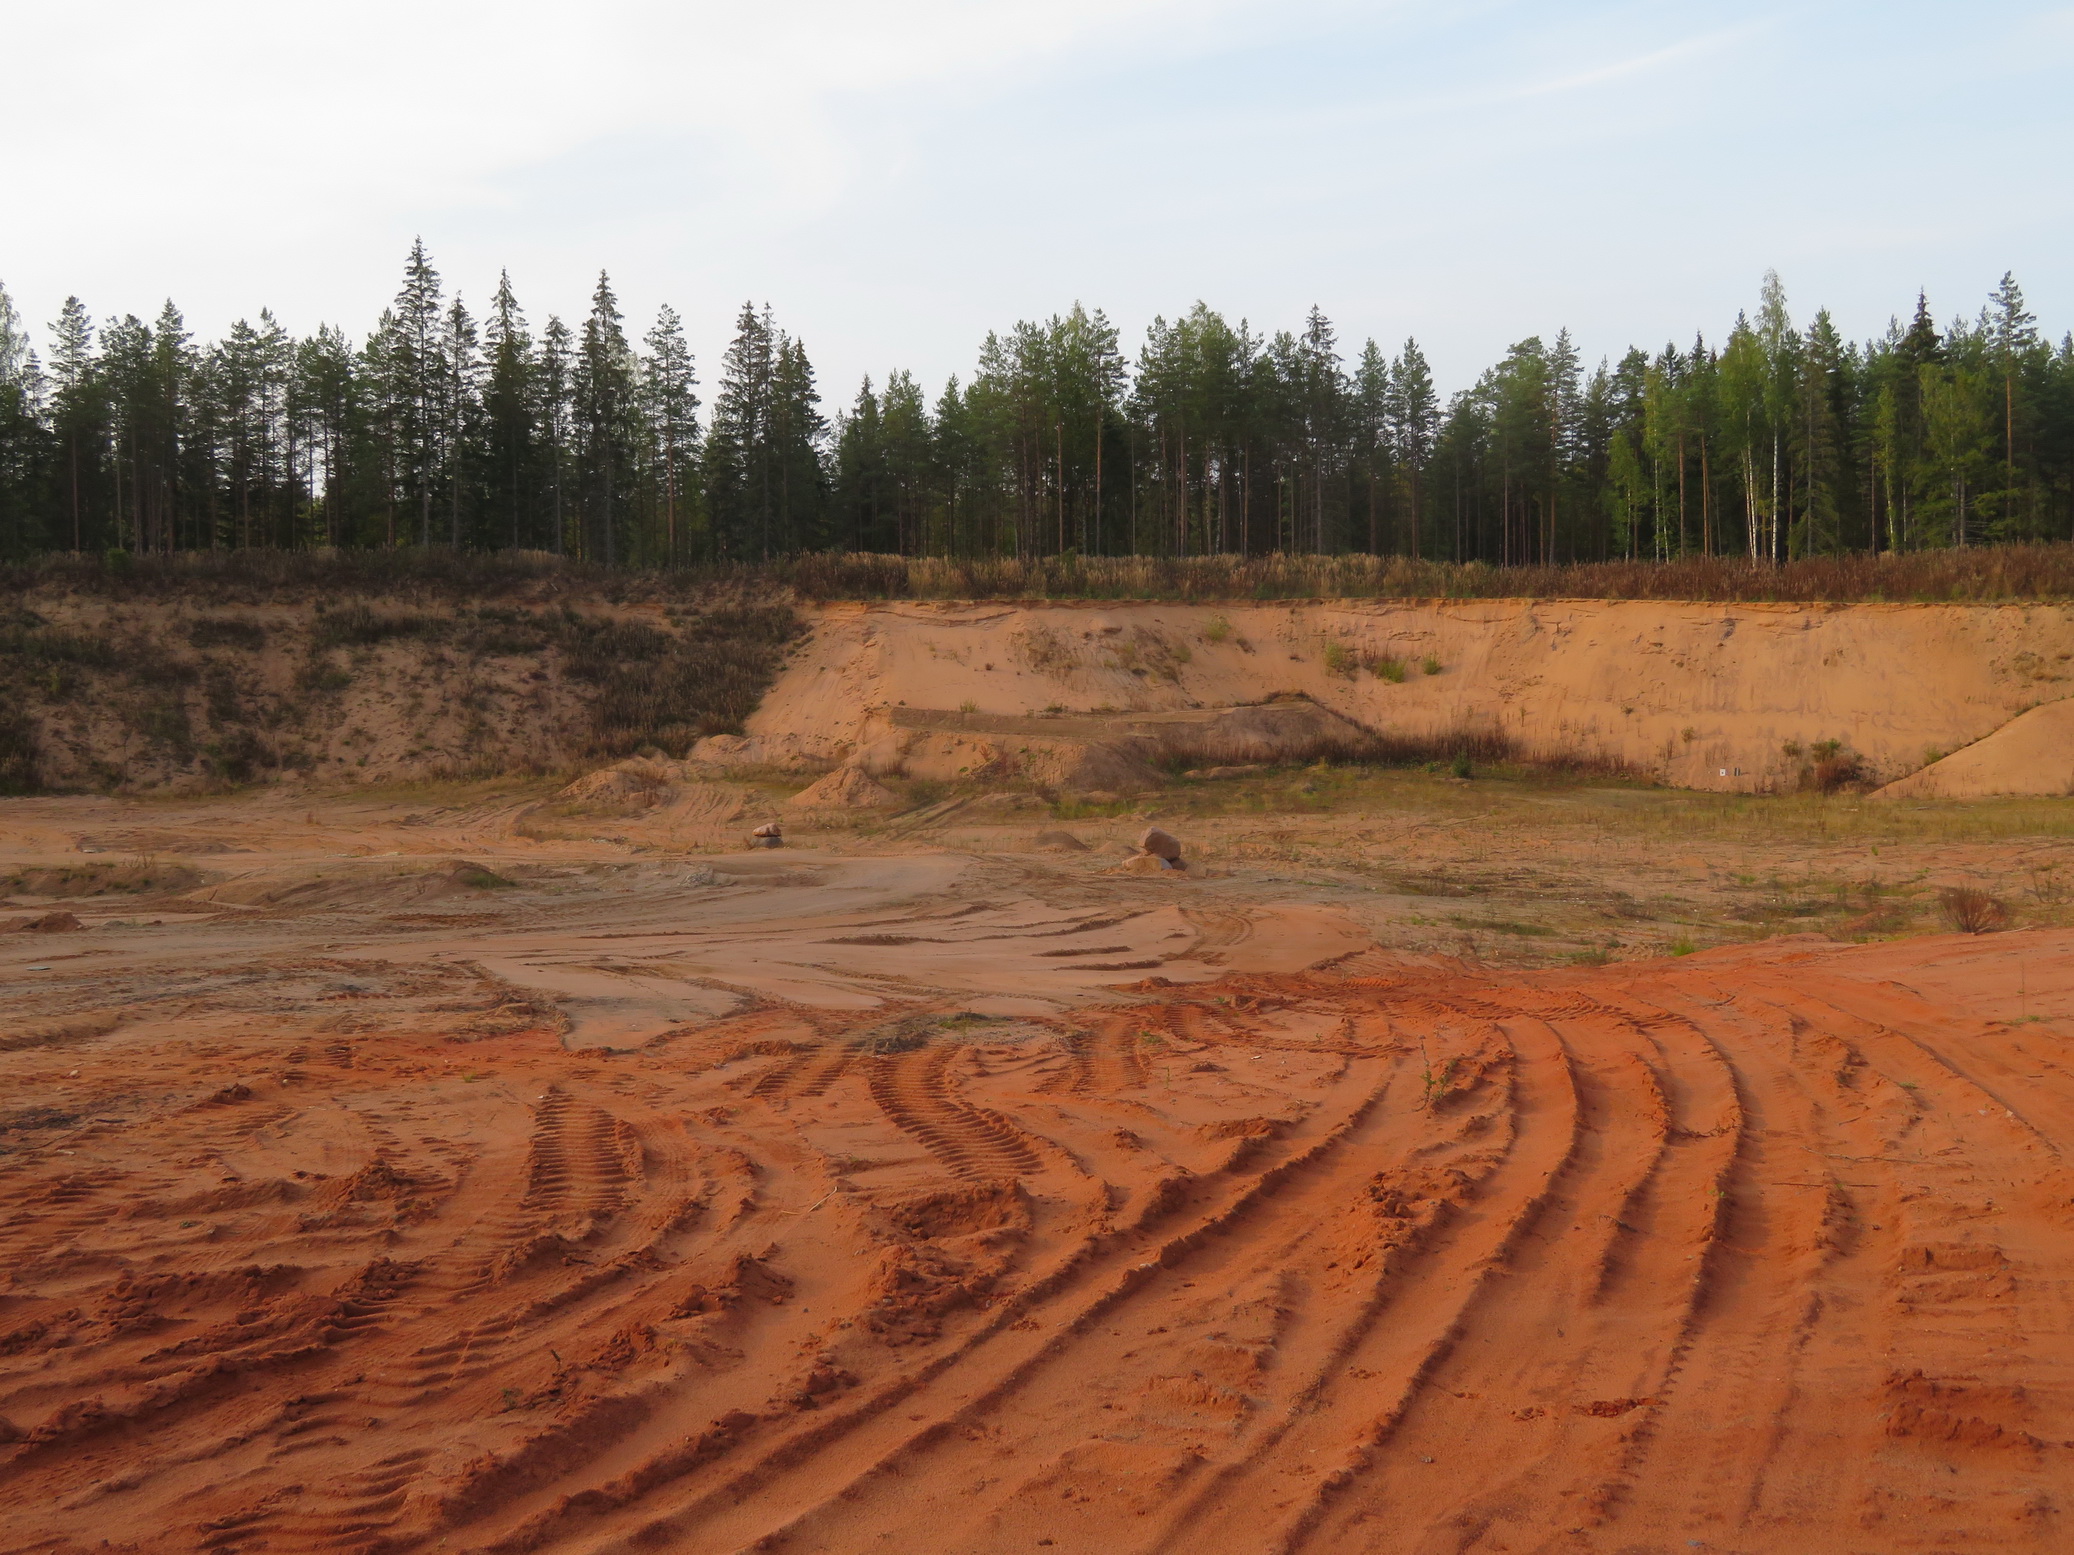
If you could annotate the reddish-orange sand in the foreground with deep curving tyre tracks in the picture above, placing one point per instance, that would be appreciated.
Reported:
(1754, 1251)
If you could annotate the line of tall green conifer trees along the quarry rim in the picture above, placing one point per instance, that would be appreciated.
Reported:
(484, 432)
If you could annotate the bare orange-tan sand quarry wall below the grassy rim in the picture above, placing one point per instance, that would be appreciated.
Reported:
(1700, 696)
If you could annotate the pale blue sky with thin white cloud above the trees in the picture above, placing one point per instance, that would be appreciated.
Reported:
(897, 177)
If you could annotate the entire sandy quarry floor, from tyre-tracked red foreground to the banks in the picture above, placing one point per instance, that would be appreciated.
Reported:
(464, 1170)
